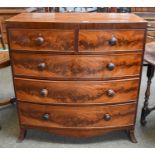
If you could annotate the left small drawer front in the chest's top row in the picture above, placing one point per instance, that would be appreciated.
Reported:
(41, 39)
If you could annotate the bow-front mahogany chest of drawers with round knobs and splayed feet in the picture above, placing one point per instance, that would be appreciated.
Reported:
(77, 74)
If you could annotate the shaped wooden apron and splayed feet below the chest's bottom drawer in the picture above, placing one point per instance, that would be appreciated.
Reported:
(77, 133)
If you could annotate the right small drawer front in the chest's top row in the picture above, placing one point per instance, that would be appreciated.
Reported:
(90, 41)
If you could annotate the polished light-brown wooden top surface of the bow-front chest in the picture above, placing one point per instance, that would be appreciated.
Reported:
(77, 18)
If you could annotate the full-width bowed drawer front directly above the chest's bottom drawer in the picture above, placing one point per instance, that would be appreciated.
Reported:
(76, 91)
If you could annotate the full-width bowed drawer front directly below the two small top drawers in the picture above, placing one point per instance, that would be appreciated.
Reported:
(71, 66)
